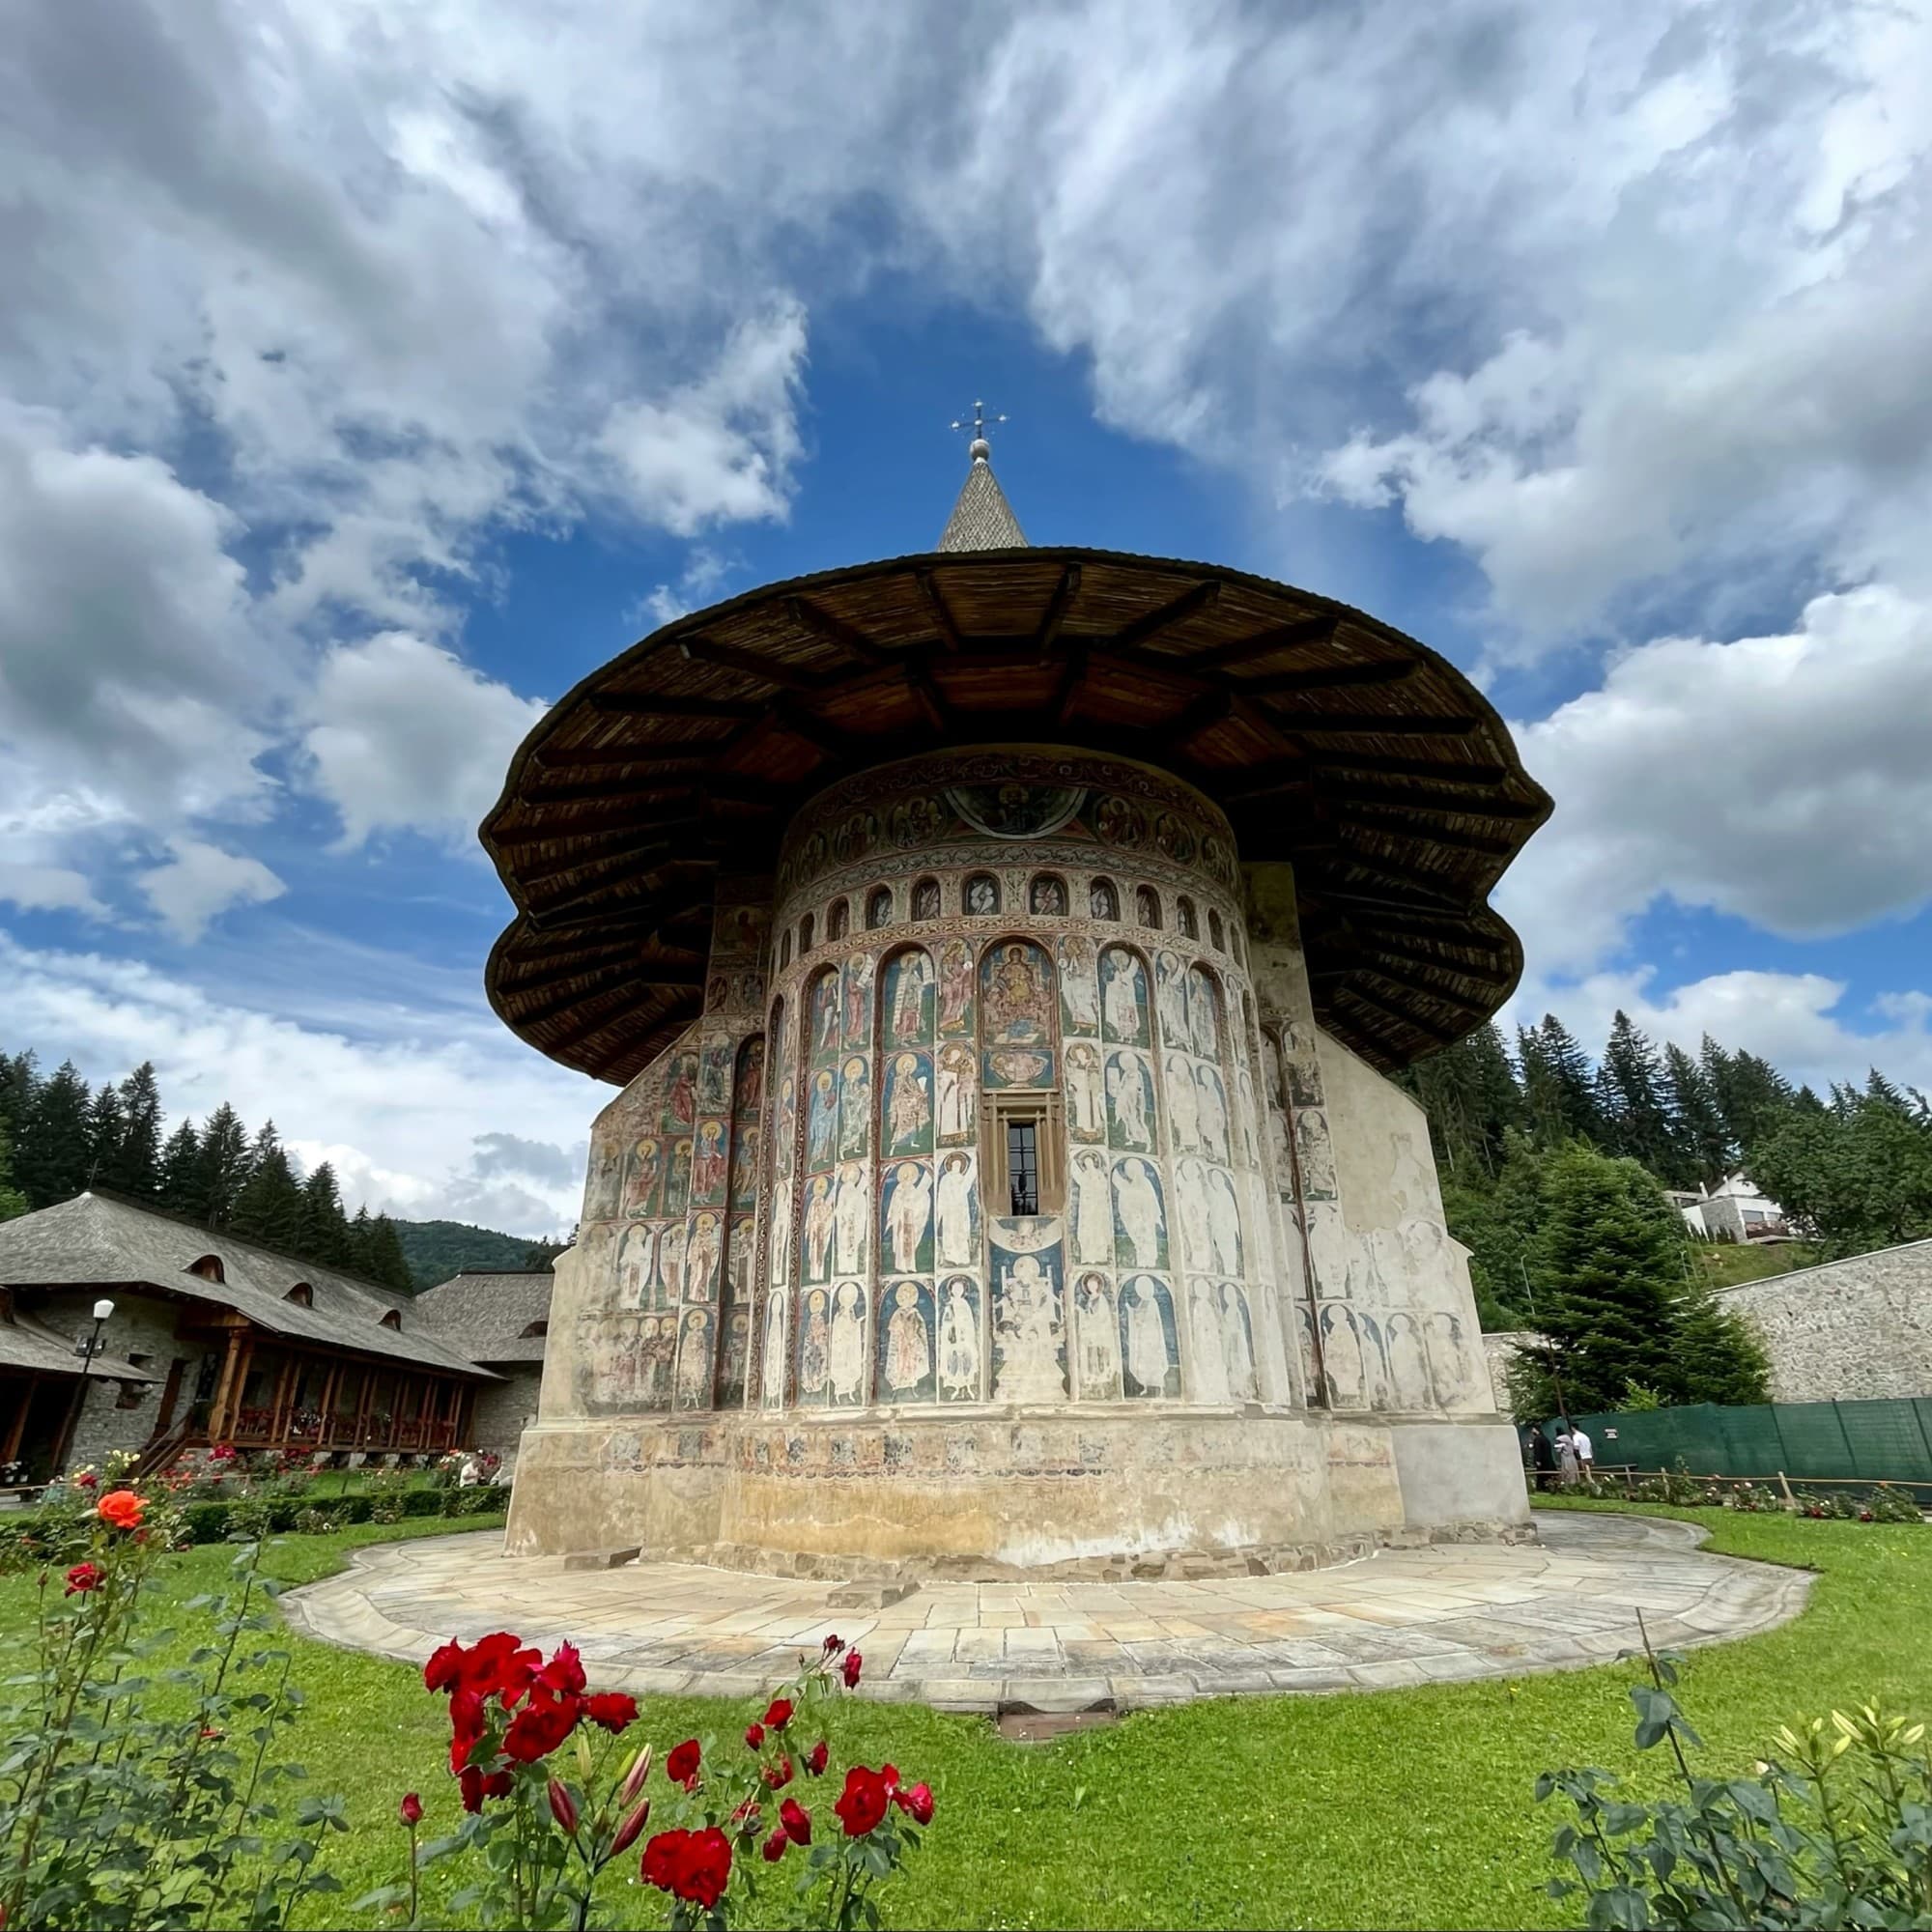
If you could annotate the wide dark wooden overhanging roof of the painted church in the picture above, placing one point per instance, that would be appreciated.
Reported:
(1328, 737)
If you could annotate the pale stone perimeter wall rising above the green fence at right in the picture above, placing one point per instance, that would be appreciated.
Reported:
(1850, 1330)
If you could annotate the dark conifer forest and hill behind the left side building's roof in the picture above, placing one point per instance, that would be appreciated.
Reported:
(61, 1139)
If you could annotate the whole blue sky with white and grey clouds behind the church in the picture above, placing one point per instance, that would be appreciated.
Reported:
(370, 374)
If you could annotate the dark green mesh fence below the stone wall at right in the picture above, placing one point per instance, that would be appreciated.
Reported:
(1819, 1442)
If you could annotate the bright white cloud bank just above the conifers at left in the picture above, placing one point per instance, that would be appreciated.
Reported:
(393, 1094)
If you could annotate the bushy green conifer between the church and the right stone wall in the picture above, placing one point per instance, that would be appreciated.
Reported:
(1608, 1272)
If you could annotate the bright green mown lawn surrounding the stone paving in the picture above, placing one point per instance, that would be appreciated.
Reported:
(1390, 1809)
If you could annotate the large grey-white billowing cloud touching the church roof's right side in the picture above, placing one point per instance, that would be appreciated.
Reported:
(1778, 780)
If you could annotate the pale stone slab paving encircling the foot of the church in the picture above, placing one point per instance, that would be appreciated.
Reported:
(1396, 1618)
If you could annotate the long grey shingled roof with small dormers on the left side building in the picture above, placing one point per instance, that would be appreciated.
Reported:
(103, 1241)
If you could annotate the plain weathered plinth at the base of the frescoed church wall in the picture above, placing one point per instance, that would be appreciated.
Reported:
(984, 1496)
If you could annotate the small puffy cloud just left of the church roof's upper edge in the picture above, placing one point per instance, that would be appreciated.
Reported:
(407, 735)
